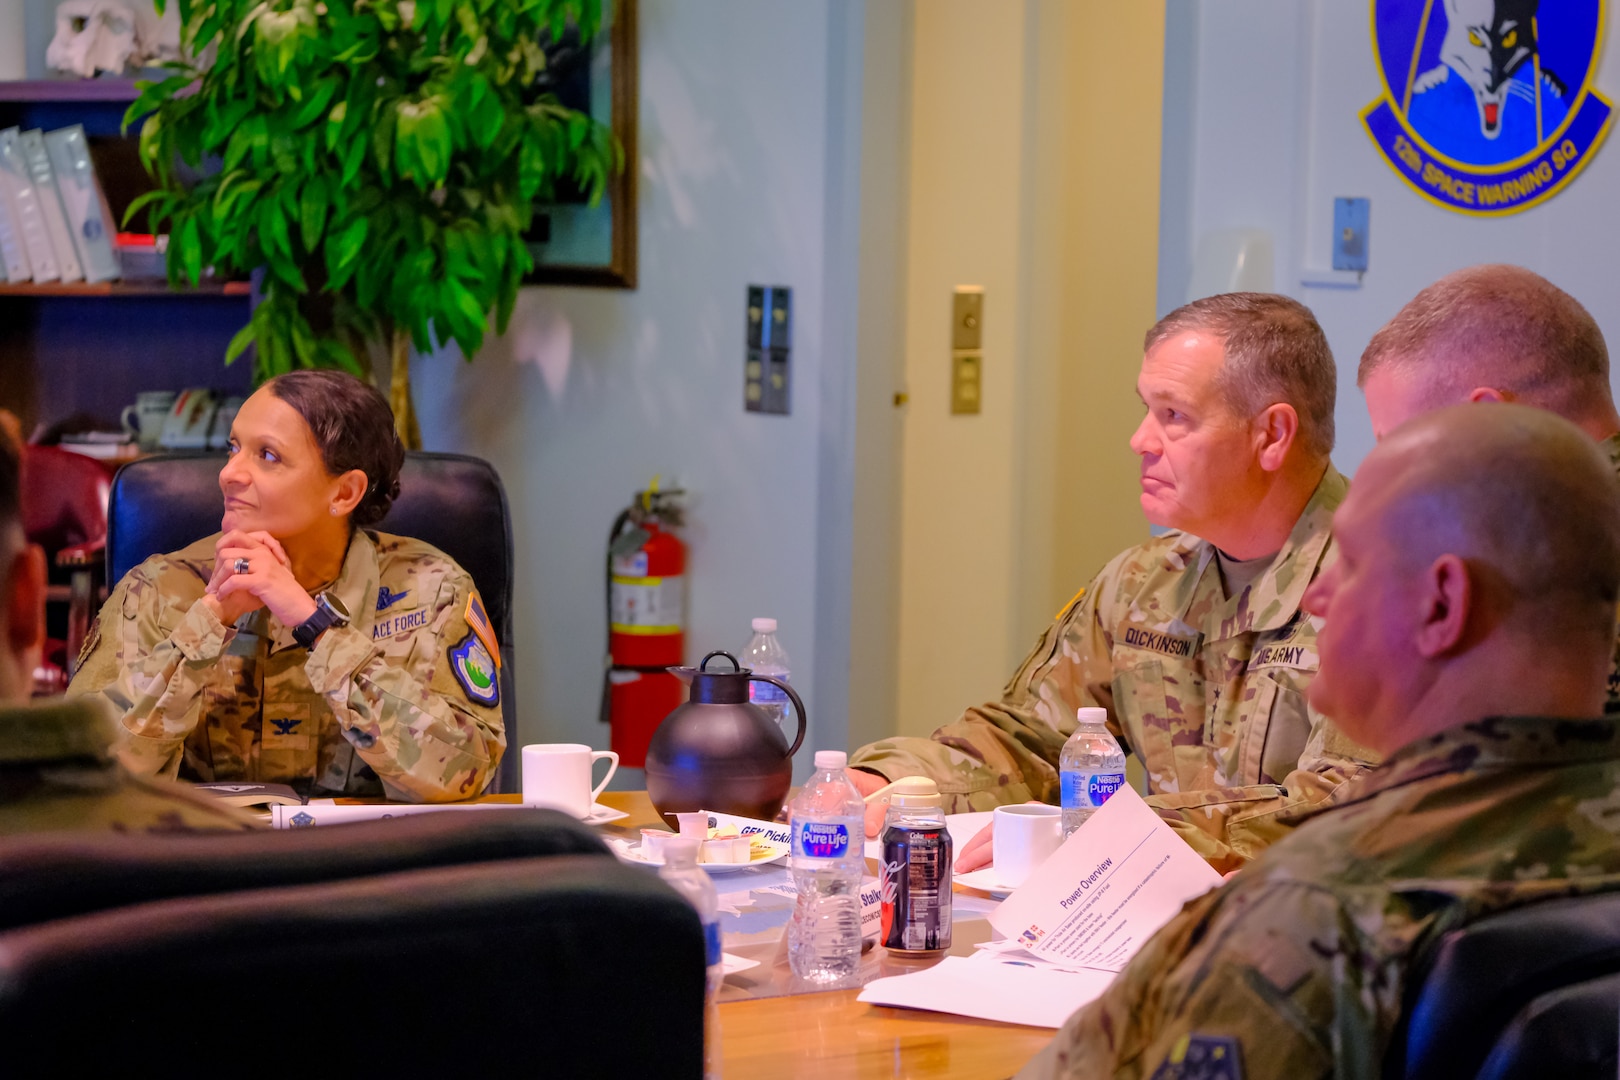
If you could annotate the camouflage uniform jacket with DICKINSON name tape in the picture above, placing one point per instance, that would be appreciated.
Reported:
(1208, 691)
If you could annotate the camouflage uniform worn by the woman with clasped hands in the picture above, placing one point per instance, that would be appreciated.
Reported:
(404, 702)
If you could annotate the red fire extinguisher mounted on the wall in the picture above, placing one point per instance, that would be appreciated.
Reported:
(647, 568)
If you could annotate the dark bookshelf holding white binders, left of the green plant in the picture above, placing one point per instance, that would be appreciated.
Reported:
(87, 351)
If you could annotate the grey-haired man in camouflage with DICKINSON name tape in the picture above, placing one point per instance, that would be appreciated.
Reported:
(1193, 642)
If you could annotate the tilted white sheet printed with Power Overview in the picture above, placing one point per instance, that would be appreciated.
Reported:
(1101, 896)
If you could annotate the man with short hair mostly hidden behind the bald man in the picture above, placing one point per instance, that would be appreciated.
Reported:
(1494, 334)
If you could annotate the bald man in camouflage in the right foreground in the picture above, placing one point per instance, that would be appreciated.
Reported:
(1467, 634)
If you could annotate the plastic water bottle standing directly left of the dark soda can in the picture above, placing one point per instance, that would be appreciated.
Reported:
(829, 848)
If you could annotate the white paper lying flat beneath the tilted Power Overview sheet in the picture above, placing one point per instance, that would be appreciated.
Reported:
(994, 989)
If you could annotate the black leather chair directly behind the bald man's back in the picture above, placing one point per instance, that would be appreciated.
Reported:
(1469, 990)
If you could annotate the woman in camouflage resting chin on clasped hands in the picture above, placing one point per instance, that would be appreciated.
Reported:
(297, 645)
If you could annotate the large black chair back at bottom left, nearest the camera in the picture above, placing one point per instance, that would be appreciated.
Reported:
(573, 966)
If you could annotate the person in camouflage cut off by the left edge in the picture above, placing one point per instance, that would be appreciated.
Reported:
(56, 757)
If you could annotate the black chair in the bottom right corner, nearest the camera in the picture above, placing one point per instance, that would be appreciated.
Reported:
(1572, 1034)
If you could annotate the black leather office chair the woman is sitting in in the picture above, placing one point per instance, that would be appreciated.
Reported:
(451, 501)
